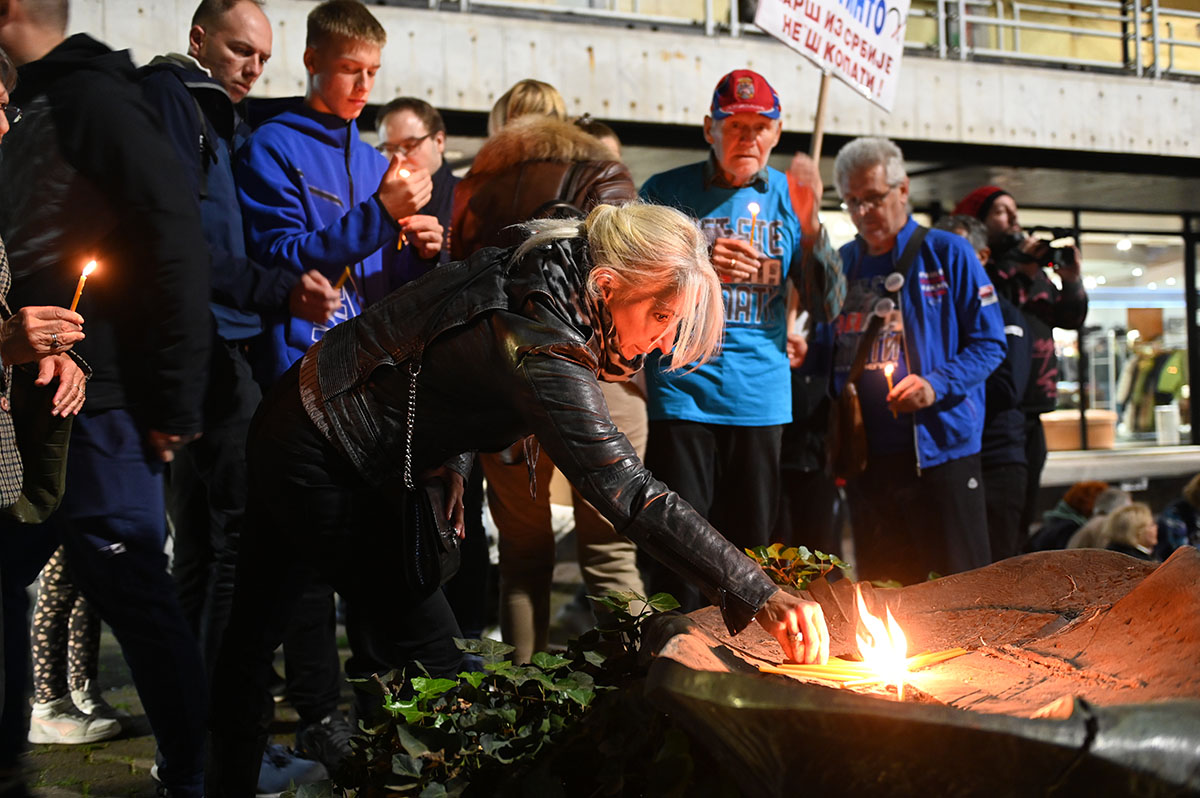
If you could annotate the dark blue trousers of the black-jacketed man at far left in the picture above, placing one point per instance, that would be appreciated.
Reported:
(112, 527)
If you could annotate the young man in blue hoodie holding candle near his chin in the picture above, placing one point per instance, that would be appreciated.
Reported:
(315, 196)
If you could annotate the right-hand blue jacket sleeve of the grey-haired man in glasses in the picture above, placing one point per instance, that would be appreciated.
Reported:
(982, 344)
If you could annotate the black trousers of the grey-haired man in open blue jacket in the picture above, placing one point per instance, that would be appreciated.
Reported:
(909, 526)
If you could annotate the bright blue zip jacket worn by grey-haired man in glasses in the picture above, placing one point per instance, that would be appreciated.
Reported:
(953, 335)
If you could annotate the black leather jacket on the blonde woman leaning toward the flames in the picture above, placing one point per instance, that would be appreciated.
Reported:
(501, 359)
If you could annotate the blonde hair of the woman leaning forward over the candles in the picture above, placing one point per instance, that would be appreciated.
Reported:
(650, 251)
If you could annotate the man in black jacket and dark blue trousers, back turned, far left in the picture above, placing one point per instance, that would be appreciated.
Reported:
(88, 176)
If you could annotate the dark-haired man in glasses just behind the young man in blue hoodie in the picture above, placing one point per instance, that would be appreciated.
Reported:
(413, 130)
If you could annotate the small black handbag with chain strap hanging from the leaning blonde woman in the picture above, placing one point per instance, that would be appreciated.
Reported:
(433, 550)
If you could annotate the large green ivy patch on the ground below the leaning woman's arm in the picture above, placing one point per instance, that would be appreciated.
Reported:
(487, 728)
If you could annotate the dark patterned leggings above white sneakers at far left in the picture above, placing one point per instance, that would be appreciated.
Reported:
(65, 635)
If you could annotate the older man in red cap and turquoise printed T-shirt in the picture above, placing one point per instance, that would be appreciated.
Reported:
(716, 431)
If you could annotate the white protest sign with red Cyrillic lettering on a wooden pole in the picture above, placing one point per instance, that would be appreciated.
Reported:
(860, 41)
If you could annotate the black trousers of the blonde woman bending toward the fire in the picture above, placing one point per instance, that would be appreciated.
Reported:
(310, 518)
